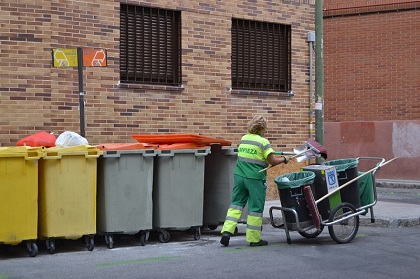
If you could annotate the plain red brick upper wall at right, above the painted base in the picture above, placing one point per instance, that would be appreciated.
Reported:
(372, 60)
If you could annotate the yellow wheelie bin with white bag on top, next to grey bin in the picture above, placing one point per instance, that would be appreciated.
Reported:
(67, 194)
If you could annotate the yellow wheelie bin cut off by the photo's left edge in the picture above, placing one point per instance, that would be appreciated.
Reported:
(19, 196)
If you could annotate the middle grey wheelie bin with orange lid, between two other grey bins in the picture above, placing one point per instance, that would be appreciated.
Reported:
(178, 189)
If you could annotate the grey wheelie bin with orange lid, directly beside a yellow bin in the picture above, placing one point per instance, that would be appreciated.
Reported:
(124, 194)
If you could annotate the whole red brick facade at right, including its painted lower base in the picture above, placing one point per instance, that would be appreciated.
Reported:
(372, 82)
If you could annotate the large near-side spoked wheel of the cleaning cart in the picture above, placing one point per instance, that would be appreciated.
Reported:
(344, 231)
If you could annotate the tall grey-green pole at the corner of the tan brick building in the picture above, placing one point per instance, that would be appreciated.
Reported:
(319, 74)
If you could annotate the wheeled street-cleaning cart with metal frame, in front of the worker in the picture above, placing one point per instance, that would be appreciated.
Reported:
(309, 217)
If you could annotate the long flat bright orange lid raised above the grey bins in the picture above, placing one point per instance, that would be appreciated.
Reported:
(180, 138)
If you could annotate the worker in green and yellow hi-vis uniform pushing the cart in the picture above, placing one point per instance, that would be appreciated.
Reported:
(254, 154)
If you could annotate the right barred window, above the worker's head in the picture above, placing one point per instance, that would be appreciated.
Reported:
(261, 56)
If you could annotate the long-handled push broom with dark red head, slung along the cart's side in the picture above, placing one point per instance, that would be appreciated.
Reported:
(312, 204)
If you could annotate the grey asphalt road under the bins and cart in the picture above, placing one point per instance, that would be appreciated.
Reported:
(374, 253)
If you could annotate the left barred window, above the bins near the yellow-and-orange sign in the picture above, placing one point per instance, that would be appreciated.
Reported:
(150, 45)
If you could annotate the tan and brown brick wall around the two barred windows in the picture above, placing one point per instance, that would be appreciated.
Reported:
(35, 96)
